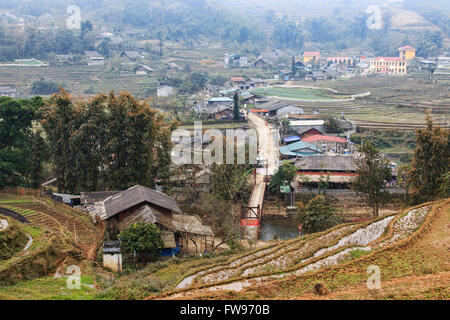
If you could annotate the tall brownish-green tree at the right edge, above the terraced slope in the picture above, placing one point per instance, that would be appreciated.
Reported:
(430, 162)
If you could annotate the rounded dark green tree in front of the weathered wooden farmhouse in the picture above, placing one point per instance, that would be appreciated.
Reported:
(141, 237)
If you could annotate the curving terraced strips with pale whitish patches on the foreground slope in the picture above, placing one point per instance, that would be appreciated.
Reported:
(304, 255)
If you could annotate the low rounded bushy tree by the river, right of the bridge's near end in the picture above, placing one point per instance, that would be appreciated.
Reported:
(316, 215)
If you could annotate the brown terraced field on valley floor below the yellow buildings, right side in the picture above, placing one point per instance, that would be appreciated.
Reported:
(394, 101)
